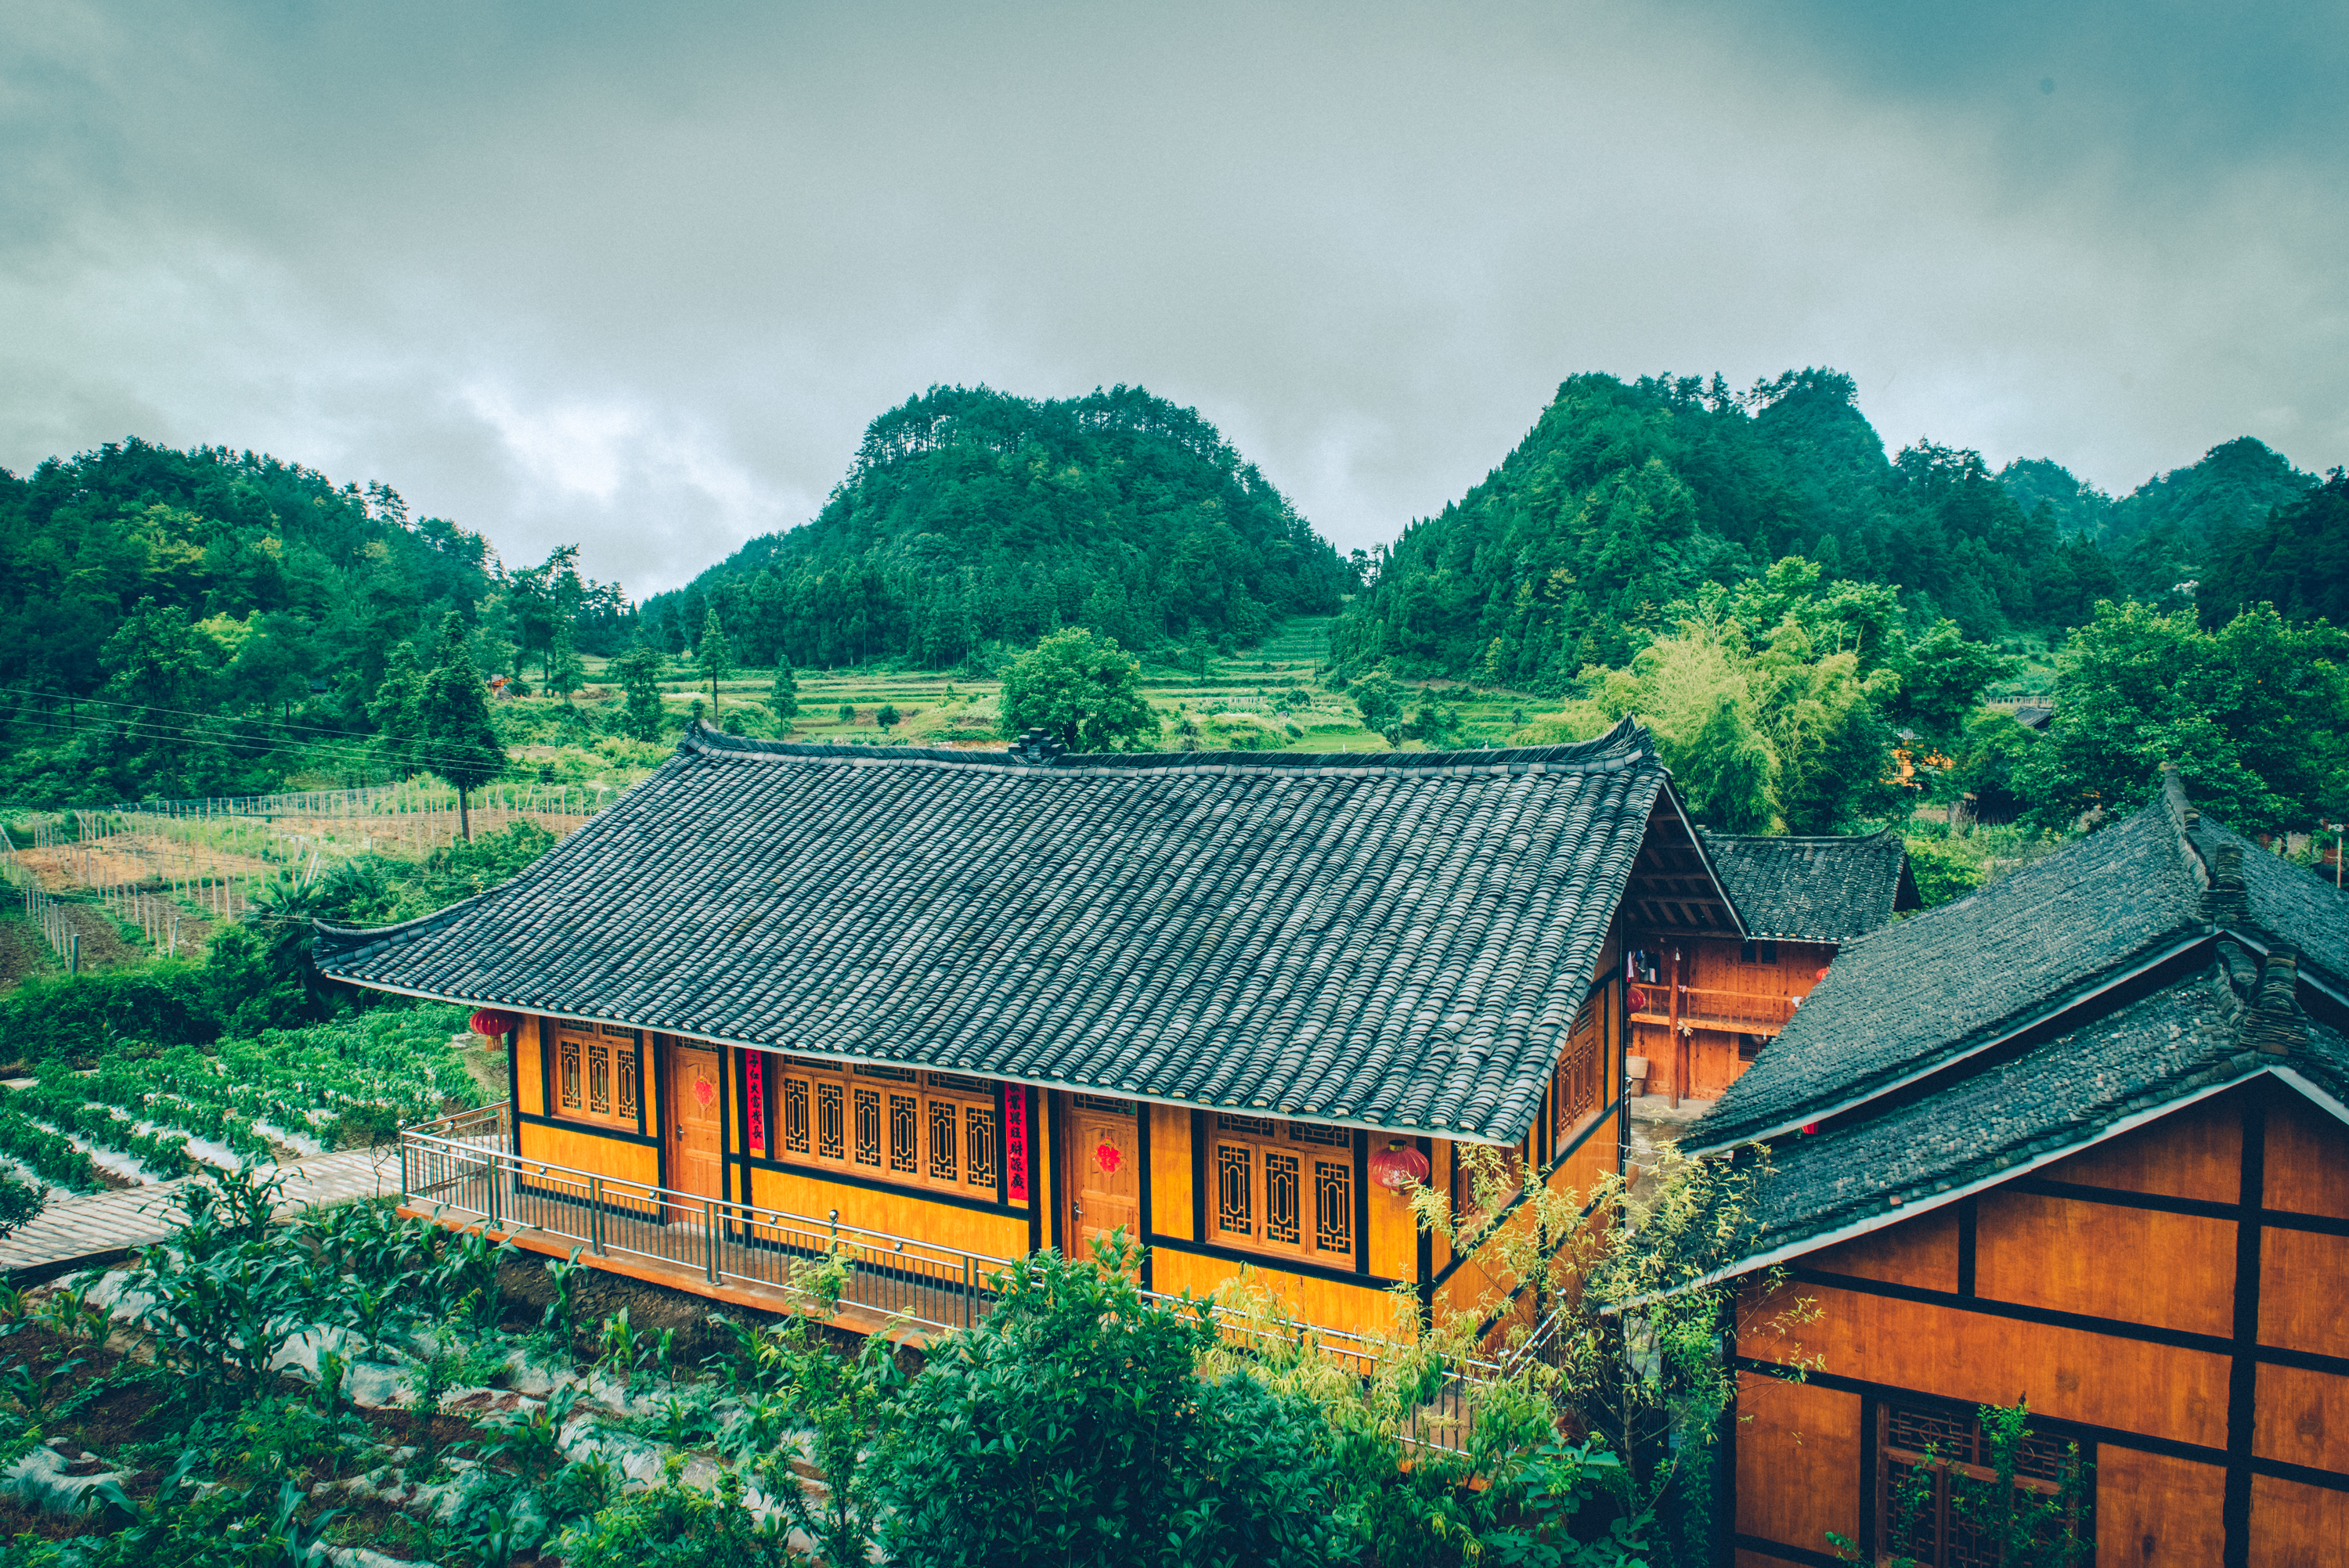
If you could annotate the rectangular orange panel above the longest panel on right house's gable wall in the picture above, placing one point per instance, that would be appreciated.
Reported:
(2172, 1271)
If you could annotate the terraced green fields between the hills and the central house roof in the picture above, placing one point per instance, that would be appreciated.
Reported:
(1265, 701)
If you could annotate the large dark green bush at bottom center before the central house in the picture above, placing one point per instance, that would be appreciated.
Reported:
(1070, 1428)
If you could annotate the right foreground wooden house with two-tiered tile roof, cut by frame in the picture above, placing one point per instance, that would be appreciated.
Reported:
(2075, 1140)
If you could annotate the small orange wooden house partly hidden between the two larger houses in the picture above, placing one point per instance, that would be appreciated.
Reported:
(1704, 1001)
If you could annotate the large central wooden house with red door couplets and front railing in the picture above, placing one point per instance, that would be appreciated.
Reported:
(955, 1006)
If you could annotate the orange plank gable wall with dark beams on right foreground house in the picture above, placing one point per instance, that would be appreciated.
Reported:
(2172, 1297)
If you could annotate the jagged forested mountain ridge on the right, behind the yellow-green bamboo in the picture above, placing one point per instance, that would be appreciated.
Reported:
(1629, 496)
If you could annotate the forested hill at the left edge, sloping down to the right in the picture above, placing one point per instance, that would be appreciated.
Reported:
(184, 621)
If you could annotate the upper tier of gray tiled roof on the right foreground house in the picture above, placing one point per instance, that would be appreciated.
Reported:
(1956, 978)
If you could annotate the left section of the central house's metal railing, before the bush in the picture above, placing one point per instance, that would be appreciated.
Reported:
(466, 1165)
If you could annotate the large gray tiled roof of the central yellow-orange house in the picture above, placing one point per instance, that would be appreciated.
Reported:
(1385, 940)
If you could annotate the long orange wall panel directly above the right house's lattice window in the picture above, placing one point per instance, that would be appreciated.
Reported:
(2068, 1374)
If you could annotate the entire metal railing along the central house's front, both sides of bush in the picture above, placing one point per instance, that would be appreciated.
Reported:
(464, 1165)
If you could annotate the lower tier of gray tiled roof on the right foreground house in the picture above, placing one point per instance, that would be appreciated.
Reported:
(2050, 1100)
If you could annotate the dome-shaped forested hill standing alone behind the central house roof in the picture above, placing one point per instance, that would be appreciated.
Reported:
(976, 518)
